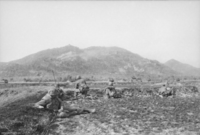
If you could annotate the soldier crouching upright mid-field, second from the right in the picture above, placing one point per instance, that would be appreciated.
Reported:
(110, 90)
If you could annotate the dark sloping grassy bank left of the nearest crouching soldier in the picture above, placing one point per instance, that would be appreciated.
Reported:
(18, 116)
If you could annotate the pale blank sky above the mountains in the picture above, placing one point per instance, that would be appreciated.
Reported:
(159, 30)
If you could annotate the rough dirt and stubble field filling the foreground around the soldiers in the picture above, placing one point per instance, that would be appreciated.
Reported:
(140, 114)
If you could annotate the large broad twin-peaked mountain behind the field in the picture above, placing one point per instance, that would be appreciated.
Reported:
(92, 61)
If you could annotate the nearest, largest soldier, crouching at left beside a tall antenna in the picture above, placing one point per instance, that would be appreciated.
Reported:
(52, 100)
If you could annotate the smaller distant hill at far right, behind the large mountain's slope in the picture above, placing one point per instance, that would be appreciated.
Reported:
(185, 69)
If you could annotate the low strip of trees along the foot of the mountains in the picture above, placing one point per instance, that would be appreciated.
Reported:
(72, 78)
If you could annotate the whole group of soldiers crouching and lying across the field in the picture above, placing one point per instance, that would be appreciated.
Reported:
(54, 98)
